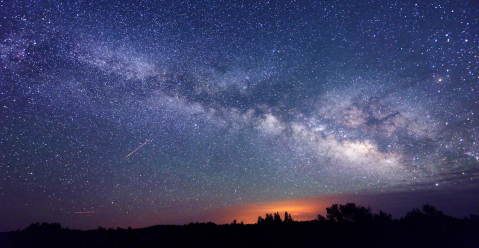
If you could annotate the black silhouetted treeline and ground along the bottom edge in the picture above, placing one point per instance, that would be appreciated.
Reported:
(344, 226)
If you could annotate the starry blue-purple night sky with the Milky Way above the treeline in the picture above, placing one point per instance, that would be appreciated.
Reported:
(235, 107)
